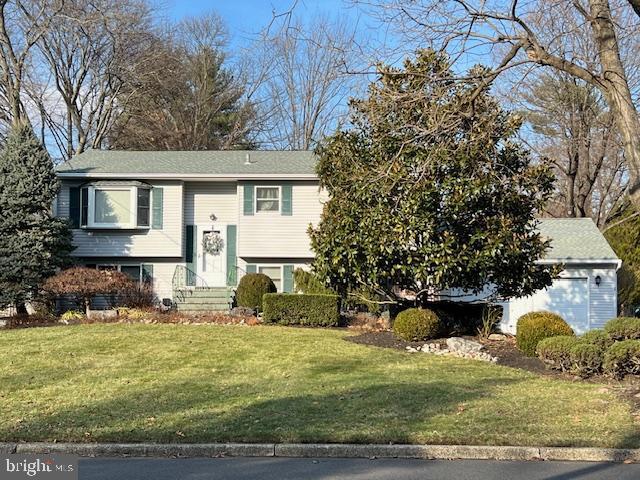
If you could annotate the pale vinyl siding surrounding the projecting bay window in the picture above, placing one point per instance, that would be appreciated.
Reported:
(165, 242)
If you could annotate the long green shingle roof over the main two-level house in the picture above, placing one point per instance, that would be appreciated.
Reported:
(196, 164)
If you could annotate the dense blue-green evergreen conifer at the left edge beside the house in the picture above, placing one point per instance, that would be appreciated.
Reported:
(33, 243)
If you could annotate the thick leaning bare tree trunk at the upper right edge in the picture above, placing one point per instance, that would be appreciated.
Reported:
(616, 89)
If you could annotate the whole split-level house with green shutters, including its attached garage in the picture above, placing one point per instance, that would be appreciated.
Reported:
(147, 214)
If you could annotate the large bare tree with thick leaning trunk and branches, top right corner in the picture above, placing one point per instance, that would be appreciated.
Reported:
(519, 33)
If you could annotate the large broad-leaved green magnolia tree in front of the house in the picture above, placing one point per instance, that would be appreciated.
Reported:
(429, 191)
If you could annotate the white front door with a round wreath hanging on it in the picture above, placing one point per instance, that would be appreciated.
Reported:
(211, 256)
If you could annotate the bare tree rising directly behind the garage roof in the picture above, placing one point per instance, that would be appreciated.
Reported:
(572, 126)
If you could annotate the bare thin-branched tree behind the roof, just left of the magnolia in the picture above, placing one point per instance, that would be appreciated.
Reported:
(304, 85)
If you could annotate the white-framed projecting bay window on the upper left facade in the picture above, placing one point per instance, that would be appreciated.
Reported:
(115, 207)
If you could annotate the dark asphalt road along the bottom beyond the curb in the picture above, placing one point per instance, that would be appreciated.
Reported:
(339, 469)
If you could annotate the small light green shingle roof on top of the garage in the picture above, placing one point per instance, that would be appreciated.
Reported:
(575, 239)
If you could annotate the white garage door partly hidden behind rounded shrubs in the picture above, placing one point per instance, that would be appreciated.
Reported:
(568, 297)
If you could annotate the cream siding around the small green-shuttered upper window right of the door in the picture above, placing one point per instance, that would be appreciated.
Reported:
(271, 234)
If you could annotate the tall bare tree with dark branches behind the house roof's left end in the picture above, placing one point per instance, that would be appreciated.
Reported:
(91, 51)
